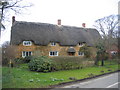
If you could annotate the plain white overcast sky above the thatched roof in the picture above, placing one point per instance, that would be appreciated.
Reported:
(71, 12)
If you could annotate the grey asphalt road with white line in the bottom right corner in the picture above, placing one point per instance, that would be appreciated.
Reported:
(108, 81)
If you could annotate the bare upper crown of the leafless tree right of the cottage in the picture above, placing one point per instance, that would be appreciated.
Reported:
(107, 26)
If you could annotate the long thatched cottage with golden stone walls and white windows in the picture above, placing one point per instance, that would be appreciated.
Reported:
(51, 40)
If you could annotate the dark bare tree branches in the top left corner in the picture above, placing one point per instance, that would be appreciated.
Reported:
(7, 6)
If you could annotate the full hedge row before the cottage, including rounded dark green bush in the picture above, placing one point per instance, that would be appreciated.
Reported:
(45, 64)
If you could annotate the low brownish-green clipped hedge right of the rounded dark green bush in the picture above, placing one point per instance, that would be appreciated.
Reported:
(66, 63)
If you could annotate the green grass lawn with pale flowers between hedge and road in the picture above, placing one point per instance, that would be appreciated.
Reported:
(23, 78)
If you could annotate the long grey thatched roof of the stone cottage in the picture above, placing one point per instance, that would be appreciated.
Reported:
(43, 34)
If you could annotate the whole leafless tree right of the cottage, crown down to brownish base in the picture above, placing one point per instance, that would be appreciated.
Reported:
(108, 28)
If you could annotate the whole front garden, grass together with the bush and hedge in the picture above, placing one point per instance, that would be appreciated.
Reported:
(42, 72)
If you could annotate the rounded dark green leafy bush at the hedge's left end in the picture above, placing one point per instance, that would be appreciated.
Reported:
(40, 64)
